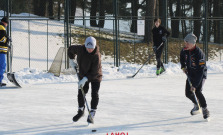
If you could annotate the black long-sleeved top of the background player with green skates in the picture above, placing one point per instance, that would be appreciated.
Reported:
(158, 33)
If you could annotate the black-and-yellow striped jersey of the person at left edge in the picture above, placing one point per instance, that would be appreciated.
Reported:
(3, 39)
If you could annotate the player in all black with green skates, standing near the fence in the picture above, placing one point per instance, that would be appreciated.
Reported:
(160, 35)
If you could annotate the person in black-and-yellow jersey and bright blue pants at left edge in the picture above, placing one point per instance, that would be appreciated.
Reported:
(4, 39)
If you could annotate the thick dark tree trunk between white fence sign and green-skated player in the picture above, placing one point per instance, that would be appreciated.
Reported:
(150, 12)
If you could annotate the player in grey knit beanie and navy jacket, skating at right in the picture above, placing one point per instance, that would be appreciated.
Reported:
(193, 64)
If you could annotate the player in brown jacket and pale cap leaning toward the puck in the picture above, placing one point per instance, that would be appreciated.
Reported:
(90, 72)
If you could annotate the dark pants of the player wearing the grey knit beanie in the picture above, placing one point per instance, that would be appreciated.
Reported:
(198, 92)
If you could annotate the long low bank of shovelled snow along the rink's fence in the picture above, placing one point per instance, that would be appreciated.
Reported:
(36, 76)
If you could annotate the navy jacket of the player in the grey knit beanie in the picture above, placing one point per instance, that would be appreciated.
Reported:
(194, 62)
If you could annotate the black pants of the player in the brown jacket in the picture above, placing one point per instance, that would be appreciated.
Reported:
(94, 94)
